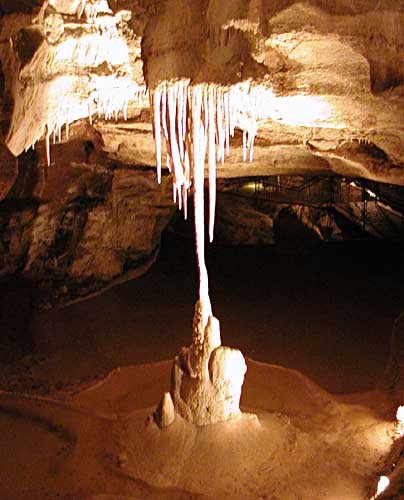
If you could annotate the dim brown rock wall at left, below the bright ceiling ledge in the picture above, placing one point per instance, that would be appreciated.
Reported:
(90, 227)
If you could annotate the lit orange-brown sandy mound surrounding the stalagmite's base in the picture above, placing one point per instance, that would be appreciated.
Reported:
(99, 442)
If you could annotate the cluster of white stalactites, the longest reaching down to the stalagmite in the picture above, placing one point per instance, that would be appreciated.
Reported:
(197, 121)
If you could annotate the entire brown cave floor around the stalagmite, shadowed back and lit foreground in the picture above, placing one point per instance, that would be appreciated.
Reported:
(317, 325)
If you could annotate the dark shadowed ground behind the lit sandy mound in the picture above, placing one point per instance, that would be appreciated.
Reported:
(327, 312)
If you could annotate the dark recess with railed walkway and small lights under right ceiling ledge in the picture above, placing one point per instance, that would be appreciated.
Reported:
(375, 209)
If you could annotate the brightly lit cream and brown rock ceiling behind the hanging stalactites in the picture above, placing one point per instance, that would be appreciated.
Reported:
(323, 81)
